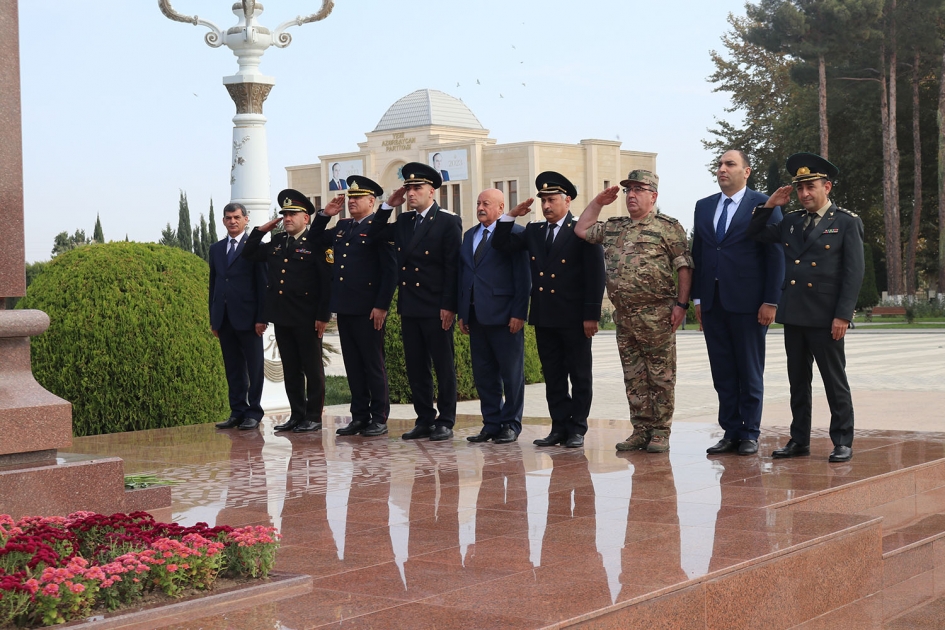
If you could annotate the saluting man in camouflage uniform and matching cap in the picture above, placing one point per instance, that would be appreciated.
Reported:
(641, 252)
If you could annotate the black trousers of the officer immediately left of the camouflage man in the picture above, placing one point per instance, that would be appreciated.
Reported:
(565, 353)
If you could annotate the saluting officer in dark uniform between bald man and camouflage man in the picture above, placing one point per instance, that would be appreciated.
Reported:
(567, 288)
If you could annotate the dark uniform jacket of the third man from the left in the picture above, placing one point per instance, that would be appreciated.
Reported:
(364, 273)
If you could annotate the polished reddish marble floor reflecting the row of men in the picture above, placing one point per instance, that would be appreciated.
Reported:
(485, 535)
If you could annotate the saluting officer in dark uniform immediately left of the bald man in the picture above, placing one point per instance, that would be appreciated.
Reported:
(427, 243)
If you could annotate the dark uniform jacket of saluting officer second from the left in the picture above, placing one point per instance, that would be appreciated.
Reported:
(299, 280)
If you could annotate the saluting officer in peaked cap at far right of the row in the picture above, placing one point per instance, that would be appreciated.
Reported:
(822, 246)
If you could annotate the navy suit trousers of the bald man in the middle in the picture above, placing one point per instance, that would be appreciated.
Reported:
(498, 367)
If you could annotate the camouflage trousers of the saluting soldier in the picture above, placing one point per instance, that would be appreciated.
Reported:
(647, 348)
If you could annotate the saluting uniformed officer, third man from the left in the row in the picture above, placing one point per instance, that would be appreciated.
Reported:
(362, 286)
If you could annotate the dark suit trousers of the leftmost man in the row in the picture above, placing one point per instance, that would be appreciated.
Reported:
(243, 364)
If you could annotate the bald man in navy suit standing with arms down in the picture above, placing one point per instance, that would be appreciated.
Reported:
(493, 304)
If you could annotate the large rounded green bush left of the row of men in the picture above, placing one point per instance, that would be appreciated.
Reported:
(129, 344)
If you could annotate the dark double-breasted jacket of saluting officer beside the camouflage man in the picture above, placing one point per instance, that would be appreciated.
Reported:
(567, 283)
